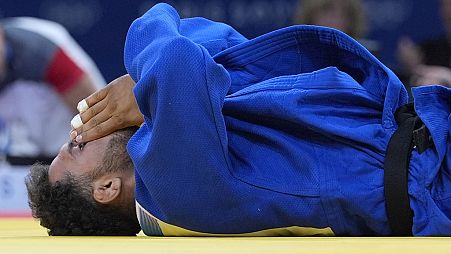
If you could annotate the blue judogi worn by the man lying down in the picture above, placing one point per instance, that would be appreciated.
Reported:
(283, 134)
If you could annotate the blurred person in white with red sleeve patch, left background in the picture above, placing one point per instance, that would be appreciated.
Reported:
(43, 75)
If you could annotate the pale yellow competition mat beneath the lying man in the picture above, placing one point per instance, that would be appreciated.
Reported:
(26, 236)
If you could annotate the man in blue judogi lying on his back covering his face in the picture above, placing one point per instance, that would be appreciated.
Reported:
(290, 133)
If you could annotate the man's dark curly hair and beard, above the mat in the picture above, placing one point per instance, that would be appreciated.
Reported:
(68, 208)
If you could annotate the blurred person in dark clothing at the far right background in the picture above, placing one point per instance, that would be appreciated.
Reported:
(430, 62)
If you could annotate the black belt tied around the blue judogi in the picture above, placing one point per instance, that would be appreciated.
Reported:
(411, 133)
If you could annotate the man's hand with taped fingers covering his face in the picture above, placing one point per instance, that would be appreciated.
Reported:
(112, 108)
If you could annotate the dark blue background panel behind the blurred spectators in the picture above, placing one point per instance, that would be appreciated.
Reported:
(100, 26)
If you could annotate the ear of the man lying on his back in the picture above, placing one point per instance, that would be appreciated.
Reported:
(107, 189)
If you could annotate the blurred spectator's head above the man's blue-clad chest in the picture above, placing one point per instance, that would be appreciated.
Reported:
(345, 15)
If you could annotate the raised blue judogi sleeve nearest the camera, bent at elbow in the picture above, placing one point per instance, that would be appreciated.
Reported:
(180, 153)
